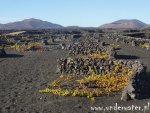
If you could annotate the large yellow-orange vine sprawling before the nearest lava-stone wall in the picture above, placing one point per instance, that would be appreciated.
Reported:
(90, 86)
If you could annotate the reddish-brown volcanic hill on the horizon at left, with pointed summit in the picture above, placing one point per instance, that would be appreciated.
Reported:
(30, 24)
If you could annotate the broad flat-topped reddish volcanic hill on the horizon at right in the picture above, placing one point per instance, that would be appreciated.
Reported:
(125, 24)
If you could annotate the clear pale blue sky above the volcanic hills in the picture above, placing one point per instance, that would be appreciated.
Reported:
(75, 12)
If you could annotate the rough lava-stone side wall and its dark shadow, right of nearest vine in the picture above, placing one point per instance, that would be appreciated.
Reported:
(138, 85)
